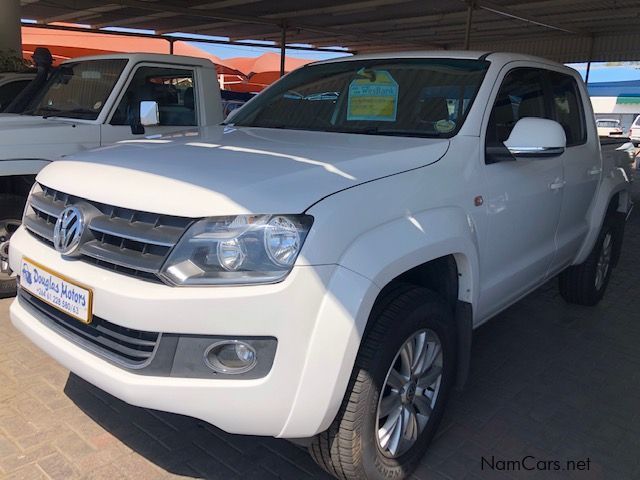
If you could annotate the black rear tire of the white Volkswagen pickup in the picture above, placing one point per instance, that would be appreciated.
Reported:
(580, 284)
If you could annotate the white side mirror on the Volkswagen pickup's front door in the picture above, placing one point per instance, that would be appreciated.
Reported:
(533, 137)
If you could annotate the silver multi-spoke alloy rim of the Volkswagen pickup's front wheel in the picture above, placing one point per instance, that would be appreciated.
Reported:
(409, 393)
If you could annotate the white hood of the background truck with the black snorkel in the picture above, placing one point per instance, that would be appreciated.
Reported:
(27, 136)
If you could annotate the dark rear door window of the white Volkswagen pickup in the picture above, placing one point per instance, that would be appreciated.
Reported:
(567, 104)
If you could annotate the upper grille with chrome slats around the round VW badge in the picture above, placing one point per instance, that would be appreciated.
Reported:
(127, 241)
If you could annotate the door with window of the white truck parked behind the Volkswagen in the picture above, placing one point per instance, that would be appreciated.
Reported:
(174, 89)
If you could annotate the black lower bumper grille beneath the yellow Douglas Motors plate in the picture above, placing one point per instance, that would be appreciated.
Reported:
(123, 346)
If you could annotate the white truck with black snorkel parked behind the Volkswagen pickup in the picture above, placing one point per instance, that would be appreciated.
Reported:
(95, 101)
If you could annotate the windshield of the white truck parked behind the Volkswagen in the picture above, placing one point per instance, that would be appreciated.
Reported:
(78, 90)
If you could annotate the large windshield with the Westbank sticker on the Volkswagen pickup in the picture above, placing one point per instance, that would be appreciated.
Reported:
(404, 97)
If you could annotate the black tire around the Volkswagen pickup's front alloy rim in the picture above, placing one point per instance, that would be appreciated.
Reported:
(349, 449)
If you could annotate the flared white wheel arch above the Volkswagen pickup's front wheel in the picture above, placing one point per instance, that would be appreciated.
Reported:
(415, 239)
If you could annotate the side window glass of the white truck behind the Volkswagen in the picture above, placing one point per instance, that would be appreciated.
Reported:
(173, 90)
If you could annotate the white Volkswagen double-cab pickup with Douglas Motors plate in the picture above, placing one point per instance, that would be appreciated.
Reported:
(314, 268)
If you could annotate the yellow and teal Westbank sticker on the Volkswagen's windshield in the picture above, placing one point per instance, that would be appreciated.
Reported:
(373, 95)
